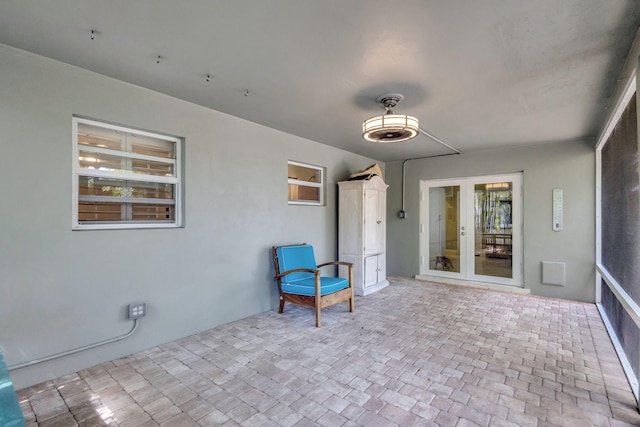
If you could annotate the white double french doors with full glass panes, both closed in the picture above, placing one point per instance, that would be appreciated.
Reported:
(471, 229)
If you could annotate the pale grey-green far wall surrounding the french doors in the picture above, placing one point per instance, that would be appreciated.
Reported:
(567, 165)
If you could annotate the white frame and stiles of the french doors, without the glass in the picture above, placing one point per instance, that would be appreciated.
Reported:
(467, 235)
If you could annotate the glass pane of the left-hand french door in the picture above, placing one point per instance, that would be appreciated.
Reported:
(444, 219)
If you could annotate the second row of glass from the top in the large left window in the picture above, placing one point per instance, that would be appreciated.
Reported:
(114, 163)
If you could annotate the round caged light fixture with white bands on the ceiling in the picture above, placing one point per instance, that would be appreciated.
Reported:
(390, 127)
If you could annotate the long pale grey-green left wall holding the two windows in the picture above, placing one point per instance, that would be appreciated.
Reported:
(62, 289)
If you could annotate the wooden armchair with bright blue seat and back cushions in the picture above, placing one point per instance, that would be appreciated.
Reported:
(299, 280)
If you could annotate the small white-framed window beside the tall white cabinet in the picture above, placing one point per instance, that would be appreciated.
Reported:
(306, 184)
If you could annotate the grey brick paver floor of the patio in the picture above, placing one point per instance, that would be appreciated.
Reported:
(413, 354)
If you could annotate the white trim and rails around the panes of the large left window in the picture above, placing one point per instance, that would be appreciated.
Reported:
(78, 171)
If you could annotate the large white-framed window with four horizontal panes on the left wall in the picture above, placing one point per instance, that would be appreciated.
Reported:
(124, 178)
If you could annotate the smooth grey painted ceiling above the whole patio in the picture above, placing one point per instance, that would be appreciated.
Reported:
(477, 73)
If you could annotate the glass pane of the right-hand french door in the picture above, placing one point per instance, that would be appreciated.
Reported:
(493, 229)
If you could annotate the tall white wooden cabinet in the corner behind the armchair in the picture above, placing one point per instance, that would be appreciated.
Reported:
(362, 232)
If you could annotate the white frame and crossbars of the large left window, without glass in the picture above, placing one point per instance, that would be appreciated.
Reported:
(175, 180)
